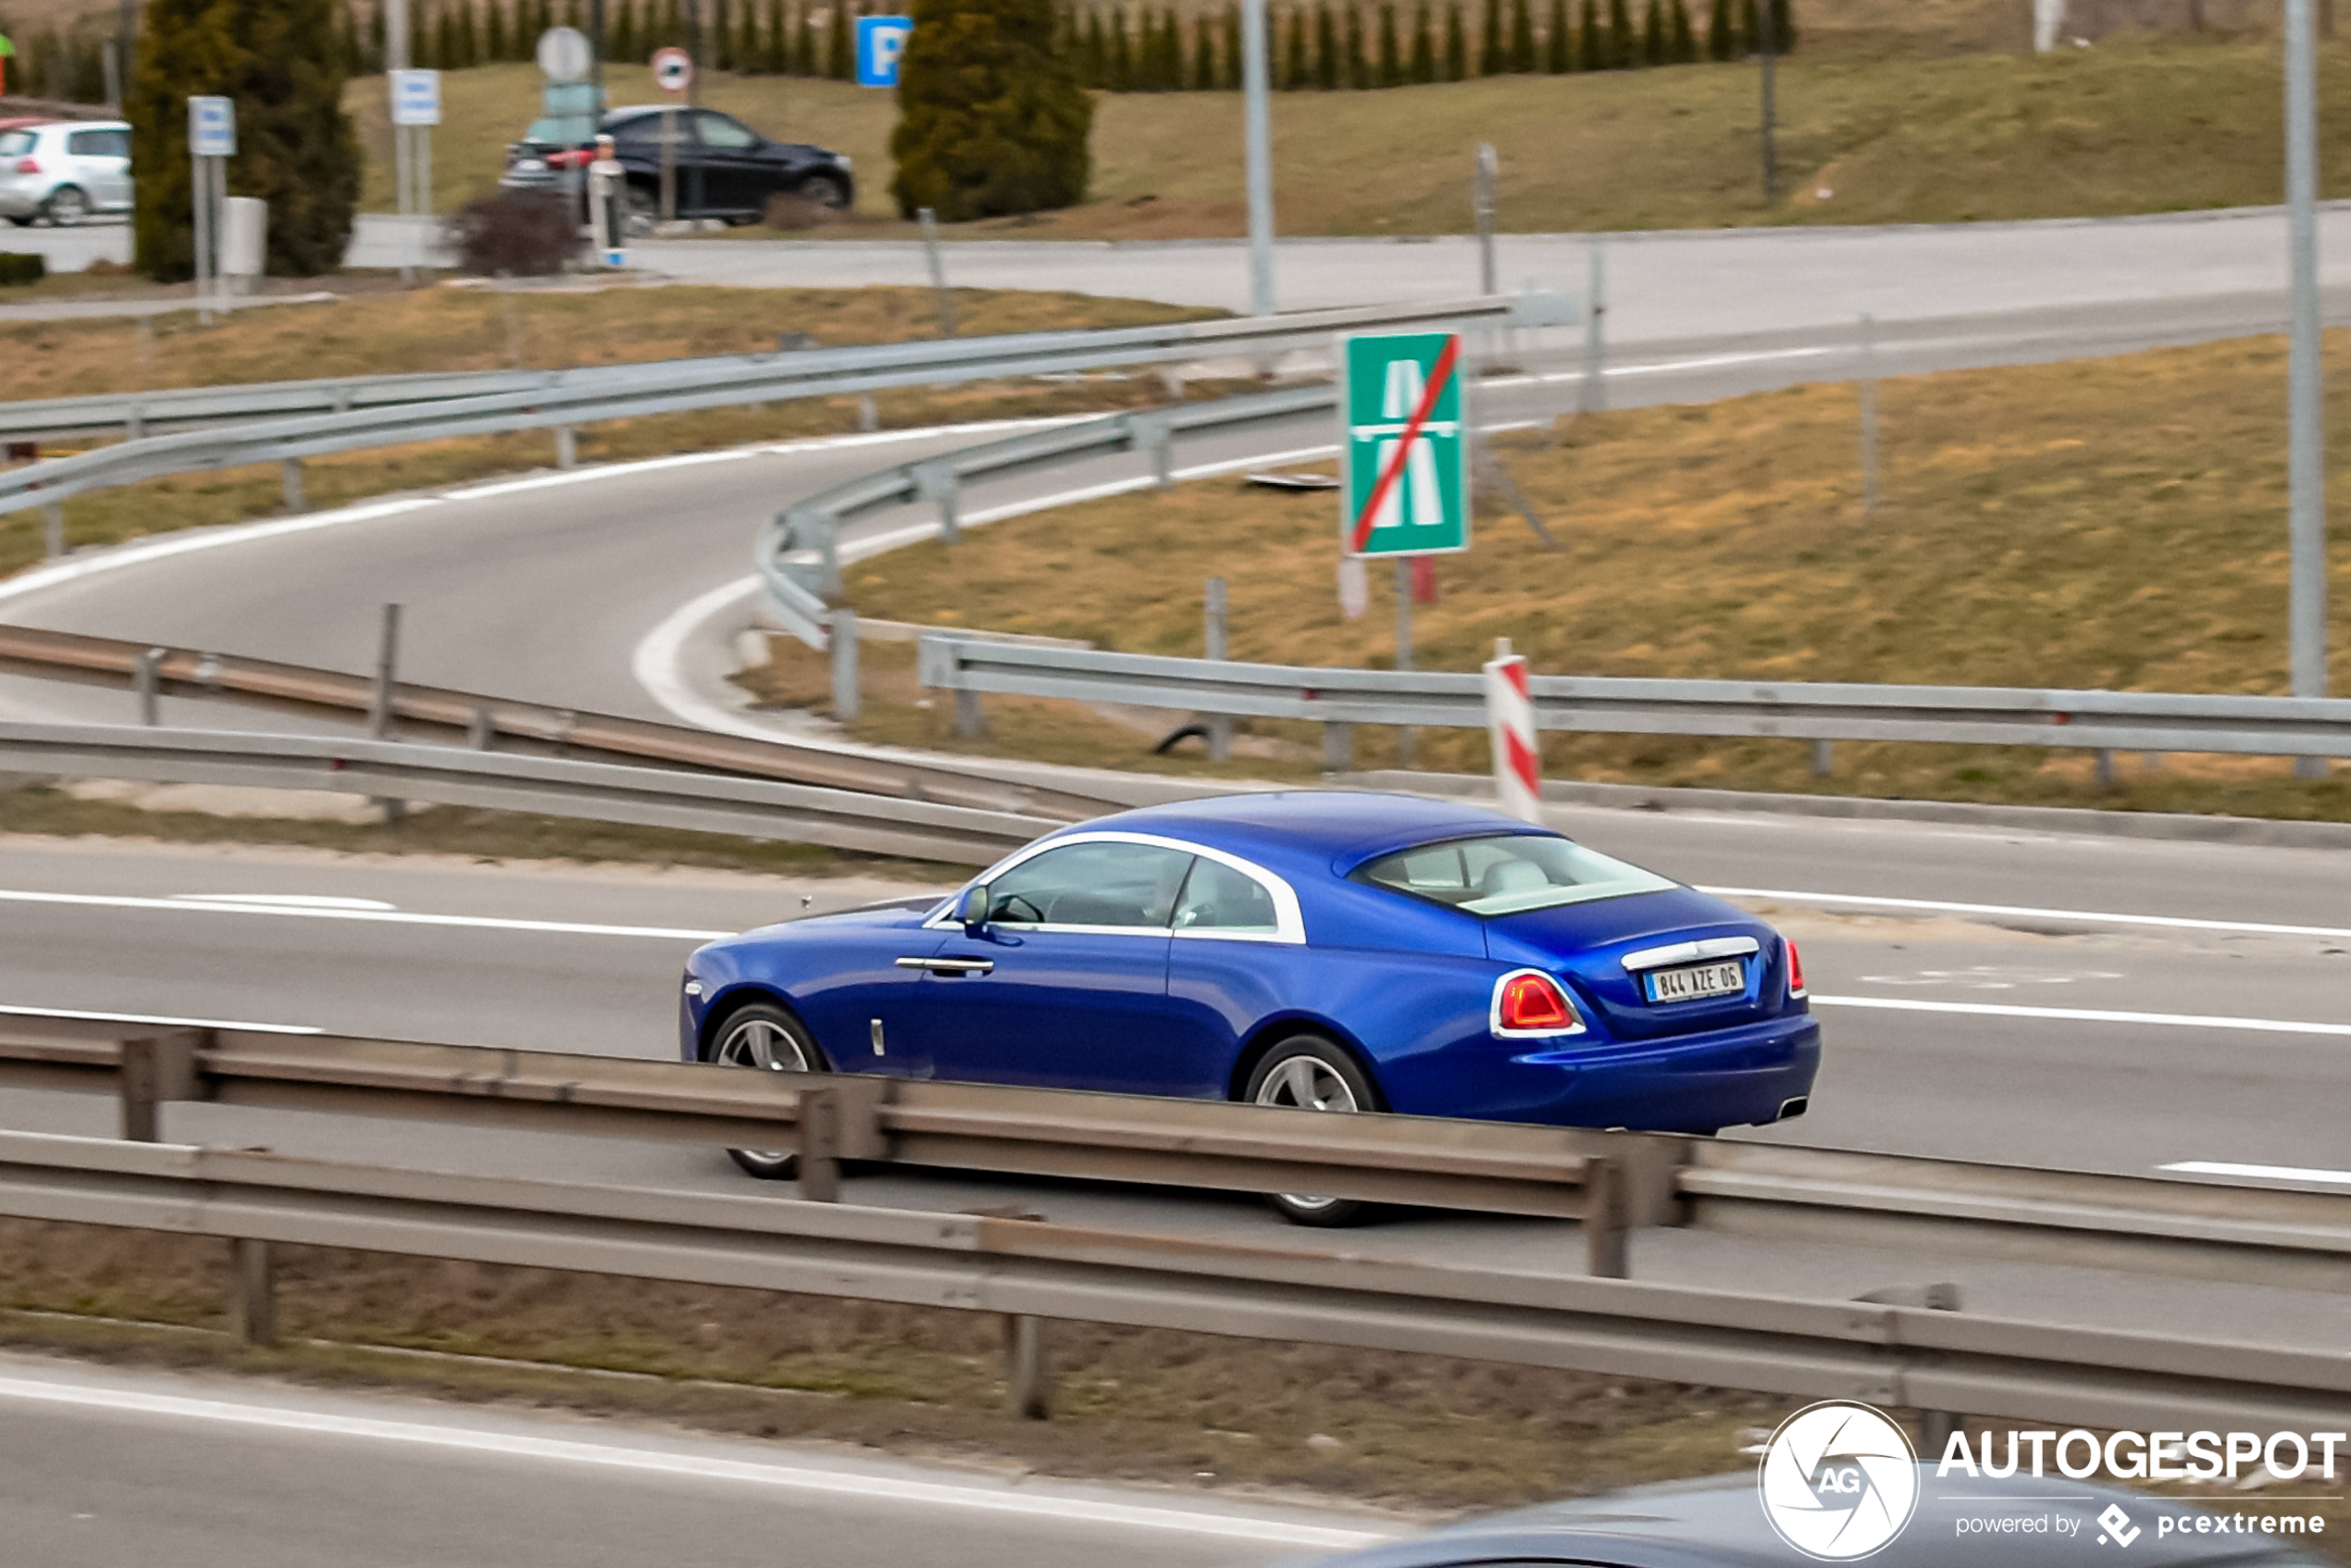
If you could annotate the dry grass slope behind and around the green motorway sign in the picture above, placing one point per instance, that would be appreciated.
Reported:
(2098, 523)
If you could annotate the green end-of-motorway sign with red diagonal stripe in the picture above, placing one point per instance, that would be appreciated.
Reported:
(1405, 445)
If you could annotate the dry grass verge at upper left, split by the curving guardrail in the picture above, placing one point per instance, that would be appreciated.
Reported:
(453, 330)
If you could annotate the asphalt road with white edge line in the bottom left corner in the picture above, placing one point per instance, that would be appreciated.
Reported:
(105, 1468)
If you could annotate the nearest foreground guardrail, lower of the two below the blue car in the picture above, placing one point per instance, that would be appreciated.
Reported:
(1804, 1348)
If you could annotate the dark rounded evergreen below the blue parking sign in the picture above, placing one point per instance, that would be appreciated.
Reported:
(991, 116)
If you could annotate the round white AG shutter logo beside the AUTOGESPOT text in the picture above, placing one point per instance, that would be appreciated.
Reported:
(1837, 1482)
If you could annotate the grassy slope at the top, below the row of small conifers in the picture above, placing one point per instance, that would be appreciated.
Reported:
(2131, 126)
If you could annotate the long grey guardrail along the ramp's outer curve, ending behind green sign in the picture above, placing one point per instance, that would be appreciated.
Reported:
(676, 387)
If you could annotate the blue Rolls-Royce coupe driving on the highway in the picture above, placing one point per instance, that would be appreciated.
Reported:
(1329, 951)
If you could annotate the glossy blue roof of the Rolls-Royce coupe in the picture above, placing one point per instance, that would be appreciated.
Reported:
(1341, 829)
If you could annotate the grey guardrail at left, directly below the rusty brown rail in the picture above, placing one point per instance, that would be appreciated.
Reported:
(507, 782)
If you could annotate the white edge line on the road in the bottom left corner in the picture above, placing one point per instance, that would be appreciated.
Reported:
(697, 1466)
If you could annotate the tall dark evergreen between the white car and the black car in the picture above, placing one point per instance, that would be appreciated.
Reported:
(295, 145)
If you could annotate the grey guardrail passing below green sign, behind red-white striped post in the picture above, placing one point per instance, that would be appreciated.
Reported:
(1807, 711)
